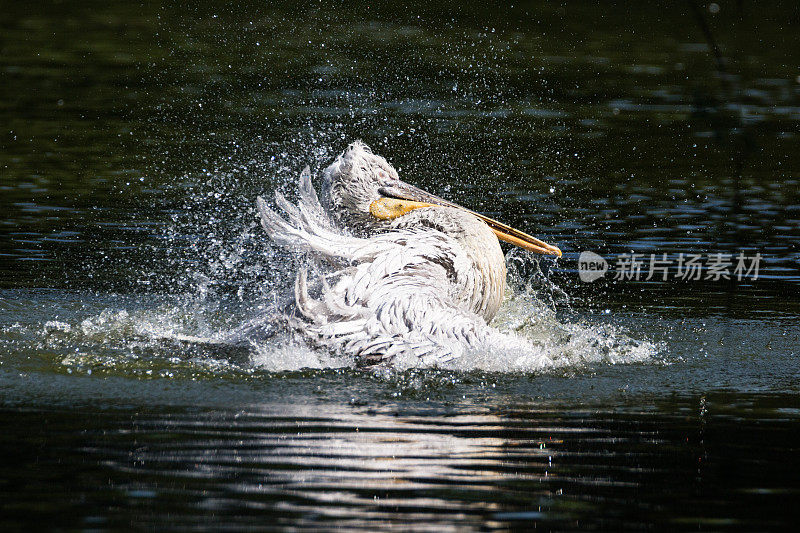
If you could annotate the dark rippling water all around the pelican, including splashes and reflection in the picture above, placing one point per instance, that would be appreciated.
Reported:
(135, 137)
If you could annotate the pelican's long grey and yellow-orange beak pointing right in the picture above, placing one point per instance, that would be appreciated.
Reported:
(402, 198)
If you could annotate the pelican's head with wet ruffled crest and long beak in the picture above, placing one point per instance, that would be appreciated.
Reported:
(363, 191)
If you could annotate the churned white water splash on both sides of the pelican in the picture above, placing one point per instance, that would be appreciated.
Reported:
(202, 334)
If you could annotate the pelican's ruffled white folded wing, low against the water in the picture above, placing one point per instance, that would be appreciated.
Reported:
(378, 319)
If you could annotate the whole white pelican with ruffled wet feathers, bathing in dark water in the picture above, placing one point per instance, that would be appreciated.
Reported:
(406, 274)
